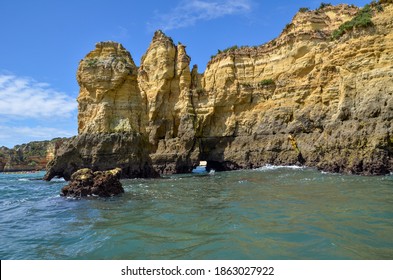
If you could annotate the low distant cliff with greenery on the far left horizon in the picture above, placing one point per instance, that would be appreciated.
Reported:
(32, 156)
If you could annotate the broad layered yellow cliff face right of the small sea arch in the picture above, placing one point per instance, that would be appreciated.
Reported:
(333, 97)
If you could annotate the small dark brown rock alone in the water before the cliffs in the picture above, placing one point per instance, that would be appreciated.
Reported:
(85, 182)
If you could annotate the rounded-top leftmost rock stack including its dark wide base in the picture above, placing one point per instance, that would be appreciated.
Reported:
(111, 118)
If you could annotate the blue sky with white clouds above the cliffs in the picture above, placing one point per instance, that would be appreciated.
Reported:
(42, 42)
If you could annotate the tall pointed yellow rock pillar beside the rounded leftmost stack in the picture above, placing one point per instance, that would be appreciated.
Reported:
(165, 78)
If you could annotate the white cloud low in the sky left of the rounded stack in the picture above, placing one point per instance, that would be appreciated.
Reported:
(26, 98)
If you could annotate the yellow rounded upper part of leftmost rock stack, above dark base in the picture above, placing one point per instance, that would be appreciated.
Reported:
(109, 98)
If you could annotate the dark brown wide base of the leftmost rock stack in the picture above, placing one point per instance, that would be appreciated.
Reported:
(103, 151)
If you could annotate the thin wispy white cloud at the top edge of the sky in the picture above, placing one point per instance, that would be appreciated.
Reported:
(188, 12)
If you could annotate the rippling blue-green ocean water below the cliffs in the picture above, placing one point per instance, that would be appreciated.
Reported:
(267, 213)
